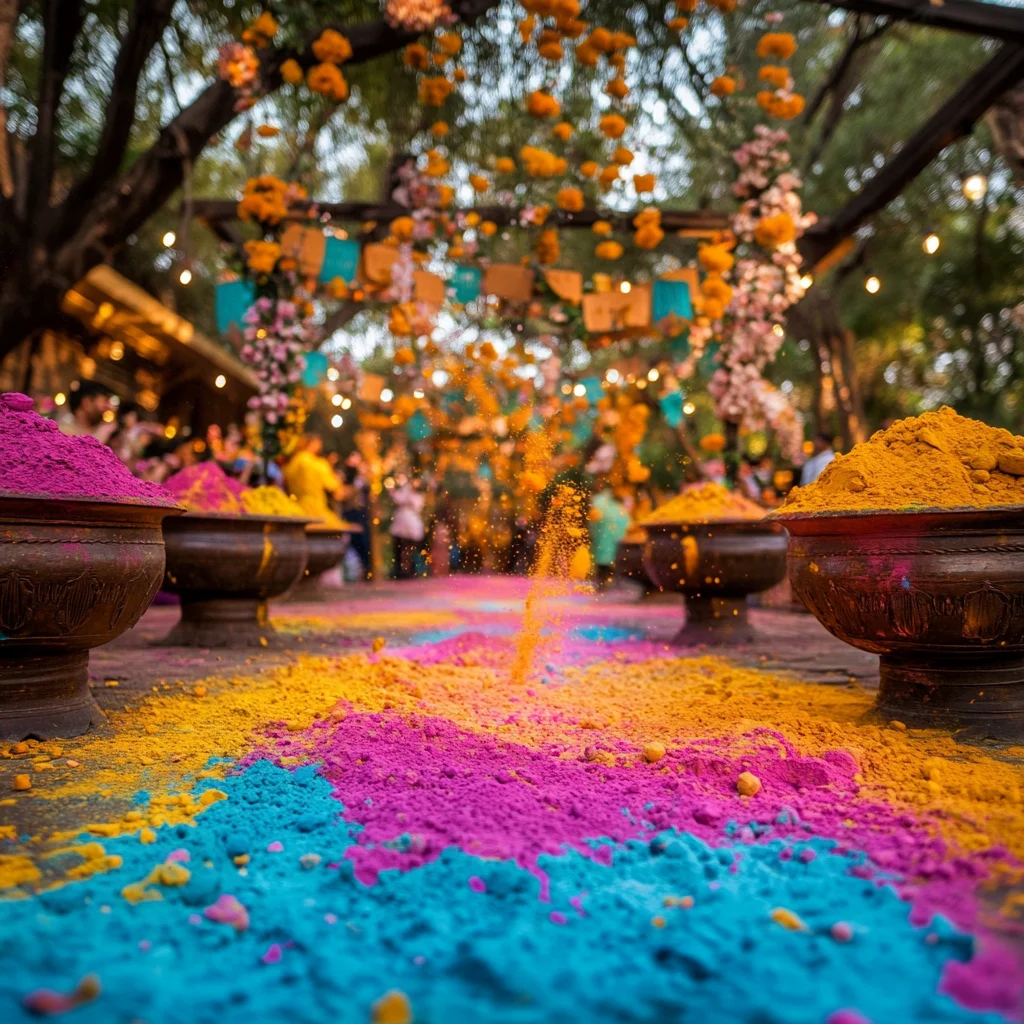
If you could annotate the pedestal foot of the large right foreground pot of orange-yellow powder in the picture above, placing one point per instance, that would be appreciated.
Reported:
(979, 698)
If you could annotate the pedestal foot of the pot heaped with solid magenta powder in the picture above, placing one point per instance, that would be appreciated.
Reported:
(47, 697)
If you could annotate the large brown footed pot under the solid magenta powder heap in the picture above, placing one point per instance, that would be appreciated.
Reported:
(74, 575)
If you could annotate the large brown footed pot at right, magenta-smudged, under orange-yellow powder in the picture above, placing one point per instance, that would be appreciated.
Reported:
(938, 595)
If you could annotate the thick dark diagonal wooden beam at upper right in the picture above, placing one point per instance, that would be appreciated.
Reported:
(953, 120)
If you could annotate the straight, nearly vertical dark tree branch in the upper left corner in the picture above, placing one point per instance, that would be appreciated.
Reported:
(62, 24)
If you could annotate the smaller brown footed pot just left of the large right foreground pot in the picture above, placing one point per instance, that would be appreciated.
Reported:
(715, 567)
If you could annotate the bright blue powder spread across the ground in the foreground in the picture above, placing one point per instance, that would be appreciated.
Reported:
(499, 956)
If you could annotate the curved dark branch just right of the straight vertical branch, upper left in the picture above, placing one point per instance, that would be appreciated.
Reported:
(146, 27)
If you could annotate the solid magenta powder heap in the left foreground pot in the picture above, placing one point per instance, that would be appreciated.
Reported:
(37, 460)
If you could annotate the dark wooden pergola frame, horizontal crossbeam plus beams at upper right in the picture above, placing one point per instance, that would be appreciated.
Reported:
(828, 242)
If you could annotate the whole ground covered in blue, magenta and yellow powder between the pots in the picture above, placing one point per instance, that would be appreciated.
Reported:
(438, 815)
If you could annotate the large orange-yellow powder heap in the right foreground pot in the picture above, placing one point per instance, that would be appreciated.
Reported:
(940, 460)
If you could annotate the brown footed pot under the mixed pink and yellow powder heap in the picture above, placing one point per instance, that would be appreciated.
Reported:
(226, 569)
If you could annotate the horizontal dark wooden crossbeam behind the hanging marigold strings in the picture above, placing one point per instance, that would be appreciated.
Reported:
(700, 223)
